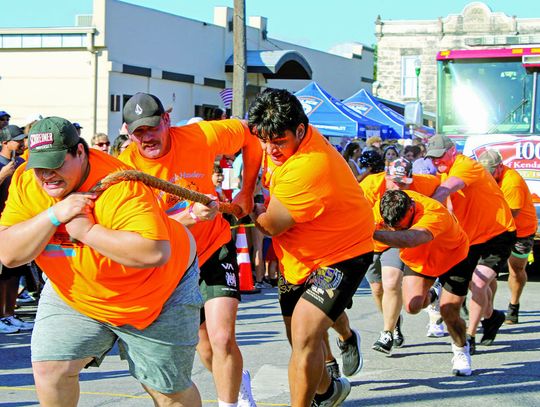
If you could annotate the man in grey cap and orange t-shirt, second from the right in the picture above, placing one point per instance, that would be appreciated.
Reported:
(479, 205)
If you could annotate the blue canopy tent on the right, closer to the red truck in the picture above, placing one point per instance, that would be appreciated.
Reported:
(365, 103)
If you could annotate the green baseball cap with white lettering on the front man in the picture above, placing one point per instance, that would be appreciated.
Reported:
(48, 142)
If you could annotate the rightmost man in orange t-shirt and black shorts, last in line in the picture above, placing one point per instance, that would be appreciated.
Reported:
(517, 194)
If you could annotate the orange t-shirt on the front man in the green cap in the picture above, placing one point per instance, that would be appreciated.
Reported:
(89, 282)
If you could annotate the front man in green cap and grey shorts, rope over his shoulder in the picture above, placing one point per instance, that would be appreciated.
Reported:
(117, 269)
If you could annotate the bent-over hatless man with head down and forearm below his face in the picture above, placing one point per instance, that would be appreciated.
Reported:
(432, 245)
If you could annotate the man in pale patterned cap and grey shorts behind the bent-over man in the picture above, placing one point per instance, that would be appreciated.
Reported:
(385, 275)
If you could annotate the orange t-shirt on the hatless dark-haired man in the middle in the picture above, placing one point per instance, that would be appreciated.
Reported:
(333, 219)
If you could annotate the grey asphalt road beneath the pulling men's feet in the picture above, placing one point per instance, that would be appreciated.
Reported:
(505, 374)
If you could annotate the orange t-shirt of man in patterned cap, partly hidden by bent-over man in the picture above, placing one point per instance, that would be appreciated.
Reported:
(374, 187)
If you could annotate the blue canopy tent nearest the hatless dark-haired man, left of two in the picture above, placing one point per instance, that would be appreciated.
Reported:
(332, 117)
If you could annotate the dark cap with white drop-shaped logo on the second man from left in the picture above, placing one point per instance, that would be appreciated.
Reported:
(142, 109)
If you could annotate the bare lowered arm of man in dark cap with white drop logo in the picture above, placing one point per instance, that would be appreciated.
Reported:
(252, 157)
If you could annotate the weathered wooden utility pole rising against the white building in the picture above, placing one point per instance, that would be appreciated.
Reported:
(239, 56)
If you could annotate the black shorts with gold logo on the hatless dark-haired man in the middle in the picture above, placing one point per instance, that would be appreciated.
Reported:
(329, 288)
